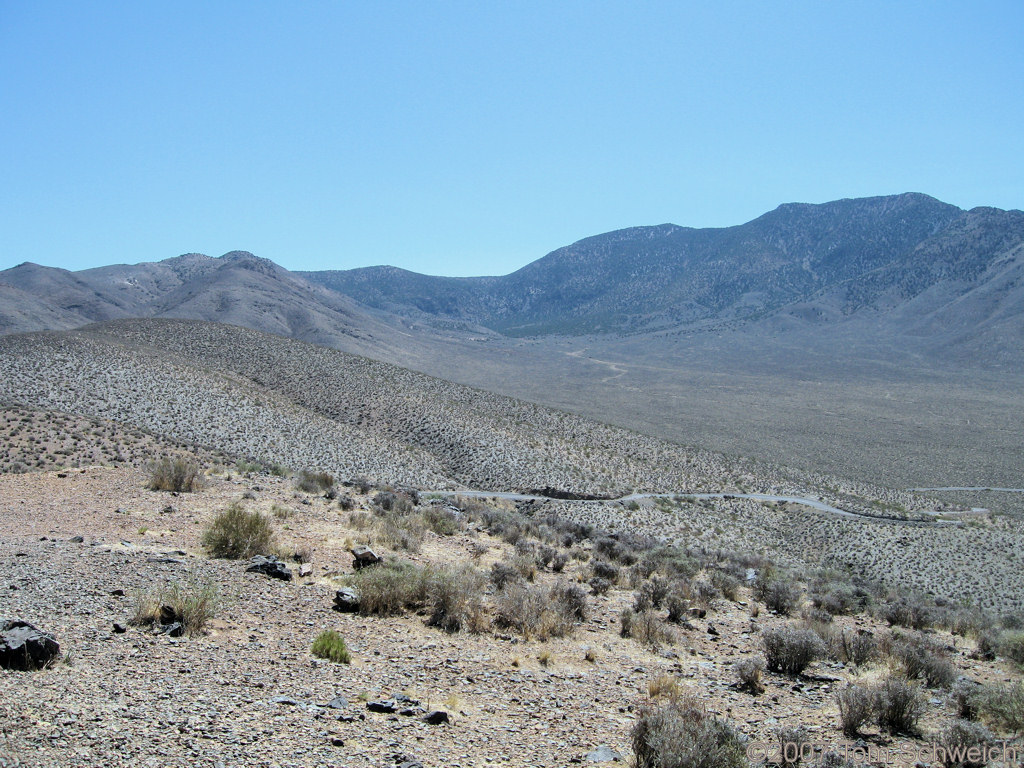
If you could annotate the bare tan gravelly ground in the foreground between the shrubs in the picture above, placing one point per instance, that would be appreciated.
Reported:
(248, 692)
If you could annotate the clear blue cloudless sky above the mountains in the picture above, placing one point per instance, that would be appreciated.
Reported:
(472, 139)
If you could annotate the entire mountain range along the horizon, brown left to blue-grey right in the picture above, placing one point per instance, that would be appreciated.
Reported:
(909, 264)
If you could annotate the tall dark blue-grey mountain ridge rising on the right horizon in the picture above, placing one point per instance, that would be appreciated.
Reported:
(820, 262)
